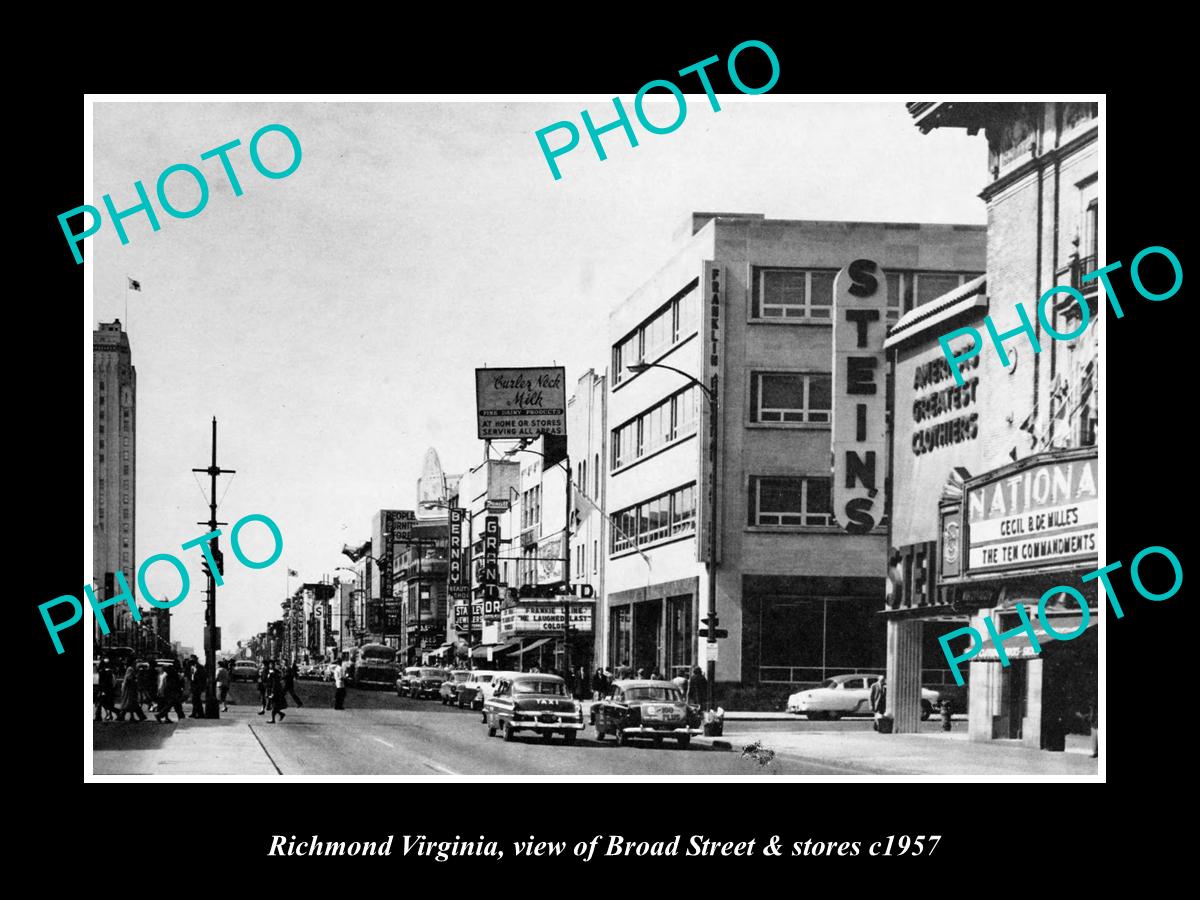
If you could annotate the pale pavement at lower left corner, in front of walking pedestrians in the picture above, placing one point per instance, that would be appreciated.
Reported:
(195, 747)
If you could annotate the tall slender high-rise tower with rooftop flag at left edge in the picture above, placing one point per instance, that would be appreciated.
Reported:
(115, 485)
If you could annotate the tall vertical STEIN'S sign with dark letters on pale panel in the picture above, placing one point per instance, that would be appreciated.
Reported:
(860, 401)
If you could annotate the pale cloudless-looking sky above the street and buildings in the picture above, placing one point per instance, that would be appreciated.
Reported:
(333, 320)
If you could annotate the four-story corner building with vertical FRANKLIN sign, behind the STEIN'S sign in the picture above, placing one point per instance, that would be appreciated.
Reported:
(742, 310)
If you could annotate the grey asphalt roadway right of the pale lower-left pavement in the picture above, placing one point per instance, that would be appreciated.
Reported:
(380, 734)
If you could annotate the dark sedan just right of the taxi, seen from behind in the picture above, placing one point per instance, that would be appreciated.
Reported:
(640, 709)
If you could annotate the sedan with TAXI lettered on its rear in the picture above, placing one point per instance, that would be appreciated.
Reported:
(526, 701)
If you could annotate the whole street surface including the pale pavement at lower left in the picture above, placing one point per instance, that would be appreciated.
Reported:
(380, 734)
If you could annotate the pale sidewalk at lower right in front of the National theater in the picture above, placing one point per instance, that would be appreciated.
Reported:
(929, 754)
